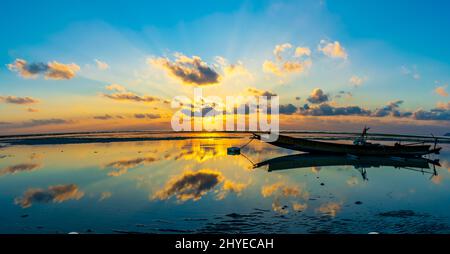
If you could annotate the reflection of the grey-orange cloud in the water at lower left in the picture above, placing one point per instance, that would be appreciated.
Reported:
(55, 194)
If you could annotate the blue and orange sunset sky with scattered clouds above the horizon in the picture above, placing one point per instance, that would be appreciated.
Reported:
(69, 66)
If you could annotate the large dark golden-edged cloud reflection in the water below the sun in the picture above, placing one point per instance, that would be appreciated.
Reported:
(191, 185)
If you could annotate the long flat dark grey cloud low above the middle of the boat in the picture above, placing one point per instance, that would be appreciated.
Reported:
(328, 110)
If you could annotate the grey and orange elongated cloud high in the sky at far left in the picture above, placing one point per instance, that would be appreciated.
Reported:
(51, 70)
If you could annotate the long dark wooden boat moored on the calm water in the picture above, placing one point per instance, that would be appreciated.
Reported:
(360, 147)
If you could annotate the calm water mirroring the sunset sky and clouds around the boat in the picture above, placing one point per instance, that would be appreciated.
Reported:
(193, 186)
